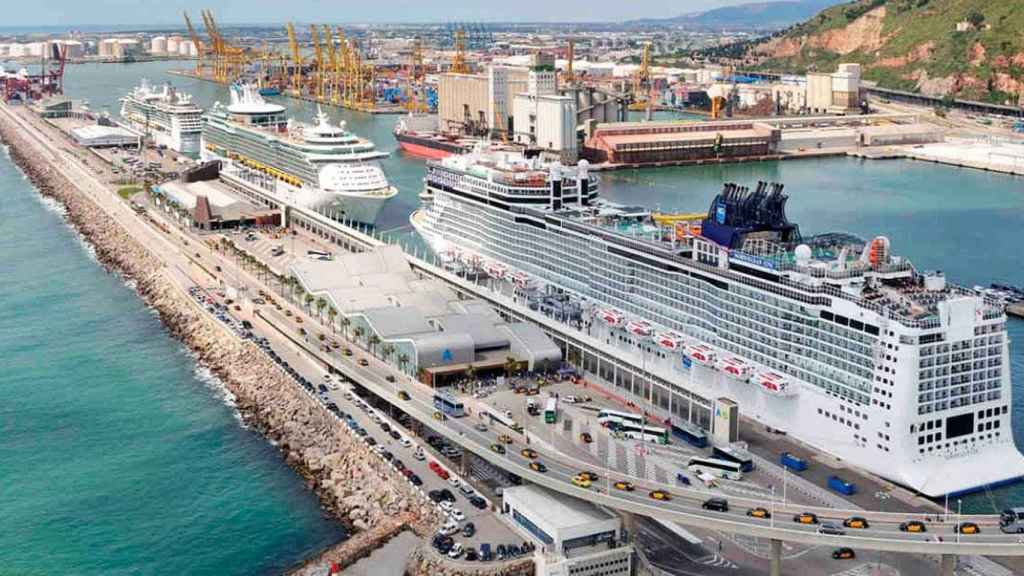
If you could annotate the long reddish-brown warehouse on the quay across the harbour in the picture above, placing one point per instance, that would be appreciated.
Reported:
(667, 143)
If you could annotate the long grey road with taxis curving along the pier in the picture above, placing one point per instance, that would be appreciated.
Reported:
(685, 507)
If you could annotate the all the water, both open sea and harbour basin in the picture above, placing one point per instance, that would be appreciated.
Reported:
(118, 456)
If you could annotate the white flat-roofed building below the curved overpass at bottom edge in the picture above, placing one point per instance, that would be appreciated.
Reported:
(573, 537)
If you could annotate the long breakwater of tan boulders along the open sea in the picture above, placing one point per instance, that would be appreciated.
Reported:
(354, 484)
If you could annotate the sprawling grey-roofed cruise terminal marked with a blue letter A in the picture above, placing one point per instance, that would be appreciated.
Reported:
(420, 324)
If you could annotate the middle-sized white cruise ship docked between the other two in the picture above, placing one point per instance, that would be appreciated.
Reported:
(320, 167)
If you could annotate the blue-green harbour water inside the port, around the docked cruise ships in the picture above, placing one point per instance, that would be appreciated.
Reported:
(966, 223)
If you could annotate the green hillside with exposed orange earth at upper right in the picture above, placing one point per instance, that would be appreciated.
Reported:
(970, 50)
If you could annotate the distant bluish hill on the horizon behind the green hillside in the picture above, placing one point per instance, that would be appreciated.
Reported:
(756, 16)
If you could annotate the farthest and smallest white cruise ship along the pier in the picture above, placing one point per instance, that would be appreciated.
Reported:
(168, 117)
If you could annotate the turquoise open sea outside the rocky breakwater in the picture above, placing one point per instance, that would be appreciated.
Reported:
(117, 457)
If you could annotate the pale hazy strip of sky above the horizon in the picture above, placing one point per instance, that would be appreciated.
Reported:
(71, 13)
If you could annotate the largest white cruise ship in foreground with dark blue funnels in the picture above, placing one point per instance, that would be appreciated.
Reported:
(837, 343)
